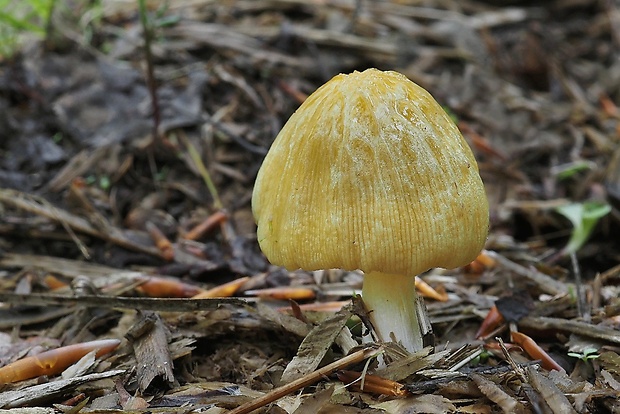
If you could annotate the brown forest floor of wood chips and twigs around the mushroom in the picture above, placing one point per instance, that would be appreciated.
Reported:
(127, 221)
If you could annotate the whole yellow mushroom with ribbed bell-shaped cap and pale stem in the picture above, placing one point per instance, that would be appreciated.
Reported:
(370, 173)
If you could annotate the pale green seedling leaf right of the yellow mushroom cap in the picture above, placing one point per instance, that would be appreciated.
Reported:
(584, 217)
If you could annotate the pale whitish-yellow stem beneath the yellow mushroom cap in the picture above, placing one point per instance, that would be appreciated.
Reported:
(390, 300)
